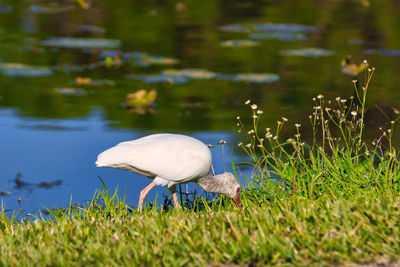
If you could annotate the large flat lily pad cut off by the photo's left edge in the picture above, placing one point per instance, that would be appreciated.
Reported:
(23, 70)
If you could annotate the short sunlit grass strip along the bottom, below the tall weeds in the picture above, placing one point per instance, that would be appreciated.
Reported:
(365, 228)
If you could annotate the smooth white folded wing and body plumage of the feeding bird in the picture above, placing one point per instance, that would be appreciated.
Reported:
(173, 157)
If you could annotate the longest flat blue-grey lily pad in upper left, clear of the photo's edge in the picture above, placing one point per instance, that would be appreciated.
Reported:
(82, 43)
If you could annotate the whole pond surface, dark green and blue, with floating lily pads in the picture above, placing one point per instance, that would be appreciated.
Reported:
(65, 72)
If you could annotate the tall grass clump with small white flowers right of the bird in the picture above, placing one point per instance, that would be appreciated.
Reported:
(337, 160)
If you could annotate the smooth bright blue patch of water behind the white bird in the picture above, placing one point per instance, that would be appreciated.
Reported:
(48, 150)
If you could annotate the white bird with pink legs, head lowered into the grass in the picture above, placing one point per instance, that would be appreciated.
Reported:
(170, 159)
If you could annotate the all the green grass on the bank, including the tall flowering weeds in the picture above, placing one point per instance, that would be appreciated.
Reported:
(333, 205)
